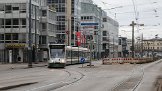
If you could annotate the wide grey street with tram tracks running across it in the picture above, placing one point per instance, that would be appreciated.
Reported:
(116, 77)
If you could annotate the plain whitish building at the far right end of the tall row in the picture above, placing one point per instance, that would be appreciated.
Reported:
(109, 42)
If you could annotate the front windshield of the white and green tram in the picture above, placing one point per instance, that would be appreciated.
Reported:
(57, 53)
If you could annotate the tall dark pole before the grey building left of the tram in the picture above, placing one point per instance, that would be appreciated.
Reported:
(30, 38)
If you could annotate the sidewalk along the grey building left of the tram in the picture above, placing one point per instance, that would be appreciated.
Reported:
(21, 66)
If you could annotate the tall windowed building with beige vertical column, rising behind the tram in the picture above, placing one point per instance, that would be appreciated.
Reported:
(68, 12)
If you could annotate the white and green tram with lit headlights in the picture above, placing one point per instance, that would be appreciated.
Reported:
(61, 55)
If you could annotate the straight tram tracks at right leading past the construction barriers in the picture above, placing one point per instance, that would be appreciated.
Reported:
(133, 82)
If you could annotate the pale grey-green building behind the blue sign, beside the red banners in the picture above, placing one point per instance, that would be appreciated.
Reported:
(91, 21)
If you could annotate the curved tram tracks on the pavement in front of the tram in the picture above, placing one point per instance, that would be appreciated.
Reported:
(41, 84)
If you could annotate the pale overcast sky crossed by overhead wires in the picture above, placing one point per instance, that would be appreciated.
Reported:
(149, 13)
